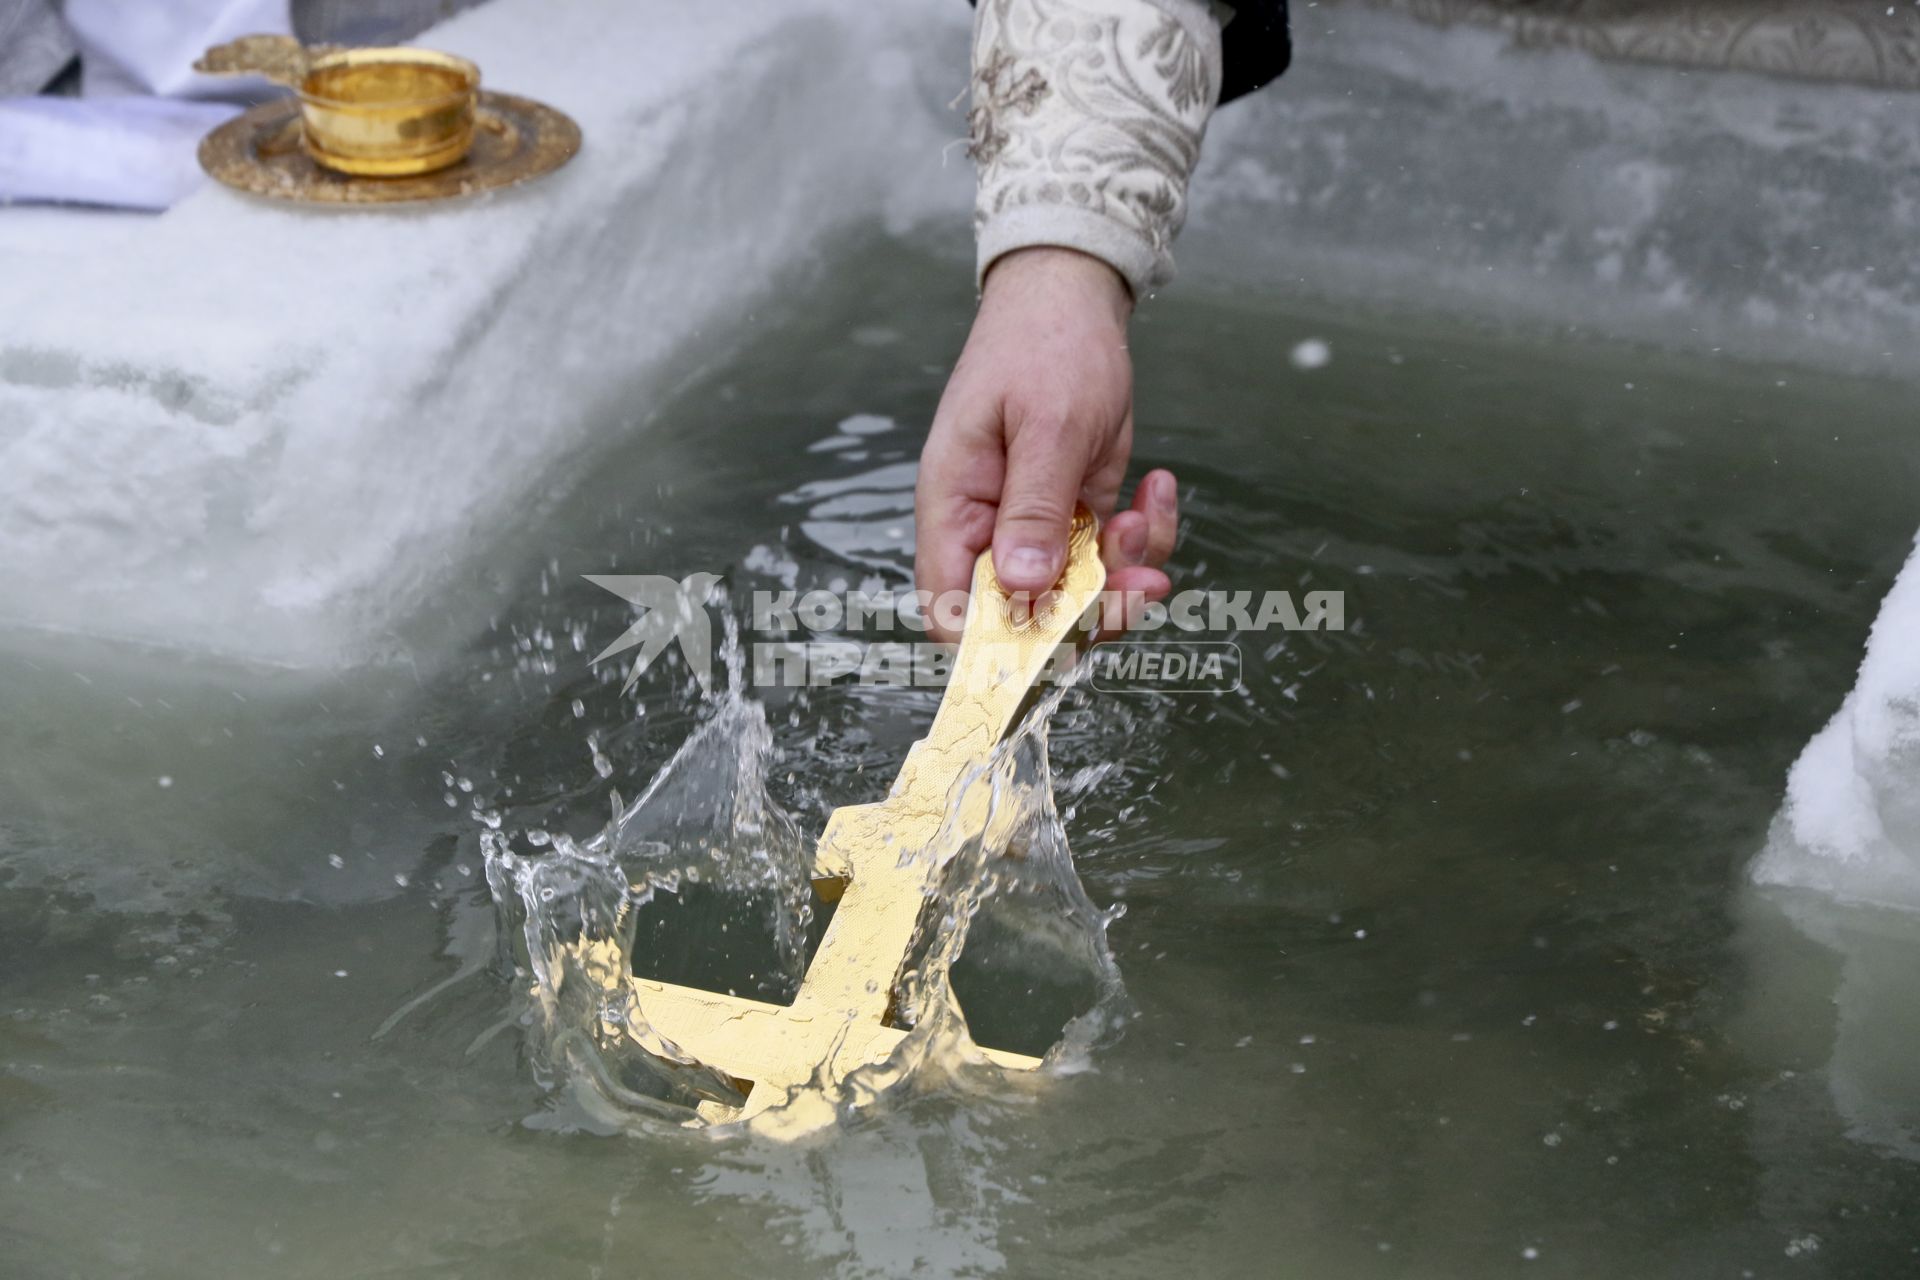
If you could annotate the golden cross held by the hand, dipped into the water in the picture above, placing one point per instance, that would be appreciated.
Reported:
(871, 863)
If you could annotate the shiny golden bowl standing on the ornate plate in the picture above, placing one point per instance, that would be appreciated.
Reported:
(389, 112)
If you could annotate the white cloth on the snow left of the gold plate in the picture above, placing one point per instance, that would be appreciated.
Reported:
(130, 141)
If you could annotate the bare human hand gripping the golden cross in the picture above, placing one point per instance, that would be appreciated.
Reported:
(1036, 417)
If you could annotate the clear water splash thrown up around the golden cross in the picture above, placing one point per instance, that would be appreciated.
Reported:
(704, 882)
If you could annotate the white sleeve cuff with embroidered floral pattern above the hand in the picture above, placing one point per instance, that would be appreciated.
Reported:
(1086, 126)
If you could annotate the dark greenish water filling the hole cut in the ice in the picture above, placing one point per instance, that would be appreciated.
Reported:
(1437, 932)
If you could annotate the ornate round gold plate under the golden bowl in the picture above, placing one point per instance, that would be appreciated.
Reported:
(516, 139)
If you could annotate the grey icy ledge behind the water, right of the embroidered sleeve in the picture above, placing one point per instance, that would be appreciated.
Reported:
(1443, 170)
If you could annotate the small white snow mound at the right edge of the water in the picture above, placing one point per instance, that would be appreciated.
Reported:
(1852, 820)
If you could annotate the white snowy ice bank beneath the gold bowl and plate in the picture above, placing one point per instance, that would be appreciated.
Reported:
(270, 433)
